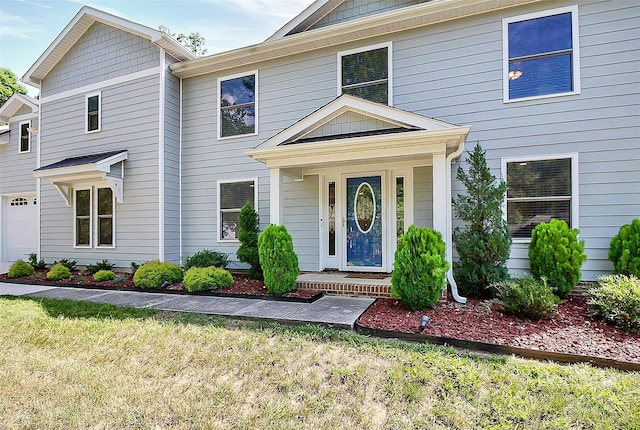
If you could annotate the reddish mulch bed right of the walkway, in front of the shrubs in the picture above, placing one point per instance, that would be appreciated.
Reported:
(571, 330)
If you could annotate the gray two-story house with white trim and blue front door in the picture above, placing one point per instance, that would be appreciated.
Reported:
(347, 126)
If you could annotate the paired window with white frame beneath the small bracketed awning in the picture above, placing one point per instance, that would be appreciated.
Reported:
(94, 217)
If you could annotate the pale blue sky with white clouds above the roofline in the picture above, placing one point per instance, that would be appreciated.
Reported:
(28, 27)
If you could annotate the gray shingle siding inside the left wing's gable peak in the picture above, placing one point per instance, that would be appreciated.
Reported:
(102, 53)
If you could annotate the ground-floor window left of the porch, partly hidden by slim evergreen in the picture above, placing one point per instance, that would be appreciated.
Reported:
(232, 196)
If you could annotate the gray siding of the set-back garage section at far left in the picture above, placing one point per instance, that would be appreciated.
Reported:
(16, 171)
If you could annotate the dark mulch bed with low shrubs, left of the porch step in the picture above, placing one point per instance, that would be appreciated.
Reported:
(242, 285)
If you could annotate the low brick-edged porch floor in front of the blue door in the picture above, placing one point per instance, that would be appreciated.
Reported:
(346, 284)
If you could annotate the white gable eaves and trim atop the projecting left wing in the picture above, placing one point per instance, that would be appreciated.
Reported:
(84, 19)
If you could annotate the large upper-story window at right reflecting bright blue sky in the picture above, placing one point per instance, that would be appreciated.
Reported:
(541, 54)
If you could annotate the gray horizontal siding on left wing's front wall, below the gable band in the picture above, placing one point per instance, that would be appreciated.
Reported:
(129, 121)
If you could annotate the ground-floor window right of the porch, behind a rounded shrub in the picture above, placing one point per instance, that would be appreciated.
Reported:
(539, 190)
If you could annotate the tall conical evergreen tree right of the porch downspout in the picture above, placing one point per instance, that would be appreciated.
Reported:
(484, 244)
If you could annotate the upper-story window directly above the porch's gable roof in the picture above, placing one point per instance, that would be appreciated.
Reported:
(366, 73)
